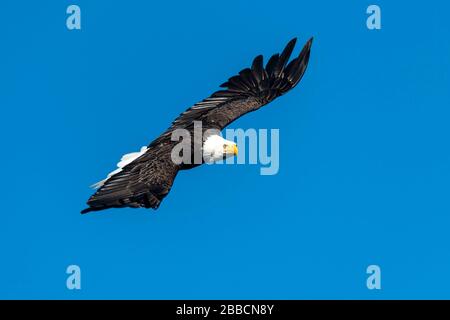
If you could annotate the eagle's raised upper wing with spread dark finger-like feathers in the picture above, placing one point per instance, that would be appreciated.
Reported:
(251, 89)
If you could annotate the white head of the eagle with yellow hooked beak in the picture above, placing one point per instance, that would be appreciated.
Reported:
(216, 148)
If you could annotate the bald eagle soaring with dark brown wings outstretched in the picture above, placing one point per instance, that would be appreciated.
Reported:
(144, 178)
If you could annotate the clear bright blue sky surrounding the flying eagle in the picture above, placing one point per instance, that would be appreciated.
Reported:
(364, 151)
